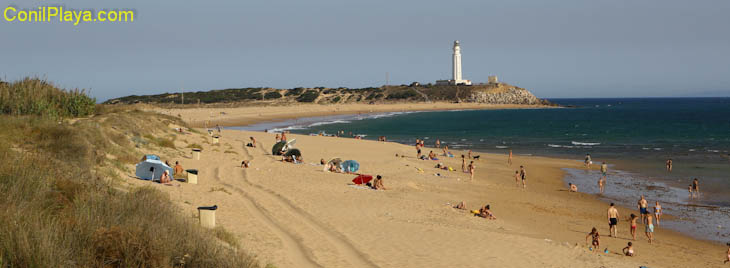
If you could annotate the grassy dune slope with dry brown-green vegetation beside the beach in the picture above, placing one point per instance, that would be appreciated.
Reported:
(64, 200)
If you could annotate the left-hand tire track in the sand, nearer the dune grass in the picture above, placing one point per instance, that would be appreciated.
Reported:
(297, 251)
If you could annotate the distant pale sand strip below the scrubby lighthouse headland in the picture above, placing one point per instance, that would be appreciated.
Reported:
(240, 116)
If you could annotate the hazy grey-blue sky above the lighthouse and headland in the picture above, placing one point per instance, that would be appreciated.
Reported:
(556, 49)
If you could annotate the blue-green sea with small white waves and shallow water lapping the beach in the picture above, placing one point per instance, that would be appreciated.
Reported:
(635, 136)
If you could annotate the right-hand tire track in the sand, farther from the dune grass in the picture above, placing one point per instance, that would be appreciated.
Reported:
(344, 247)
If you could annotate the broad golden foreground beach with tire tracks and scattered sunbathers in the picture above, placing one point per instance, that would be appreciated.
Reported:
(296, 215)
